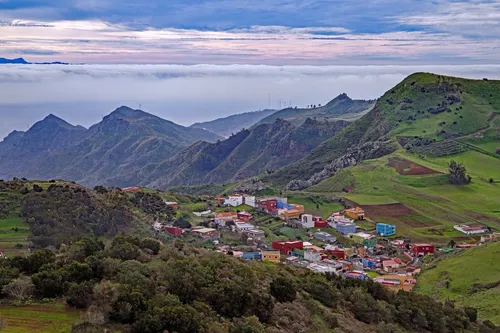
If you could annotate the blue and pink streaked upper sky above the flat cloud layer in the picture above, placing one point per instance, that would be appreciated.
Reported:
(271, 32)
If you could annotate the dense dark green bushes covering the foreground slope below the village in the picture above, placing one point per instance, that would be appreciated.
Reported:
(138, 285)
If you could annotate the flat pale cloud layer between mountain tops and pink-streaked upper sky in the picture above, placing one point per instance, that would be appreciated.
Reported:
(82, 94)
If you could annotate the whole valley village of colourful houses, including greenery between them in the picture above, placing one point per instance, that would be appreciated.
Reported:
(241, 226)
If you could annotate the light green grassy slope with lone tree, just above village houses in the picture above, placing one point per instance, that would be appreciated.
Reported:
(437, 204)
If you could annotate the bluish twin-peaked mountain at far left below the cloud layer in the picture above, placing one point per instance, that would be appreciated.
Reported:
(53, 148)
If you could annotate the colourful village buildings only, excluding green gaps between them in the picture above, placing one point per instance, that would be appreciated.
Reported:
(389, 261)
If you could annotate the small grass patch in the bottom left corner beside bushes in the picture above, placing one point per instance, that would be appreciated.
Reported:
(53, 318)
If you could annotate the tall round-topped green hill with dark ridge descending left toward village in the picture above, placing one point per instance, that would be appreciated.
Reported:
(429, 114)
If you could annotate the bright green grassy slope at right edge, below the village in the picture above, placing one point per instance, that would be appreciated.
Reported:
(479, 265)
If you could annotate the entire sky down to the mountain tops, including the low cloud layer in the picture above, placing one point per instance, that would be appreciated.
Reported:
(196, 60)
